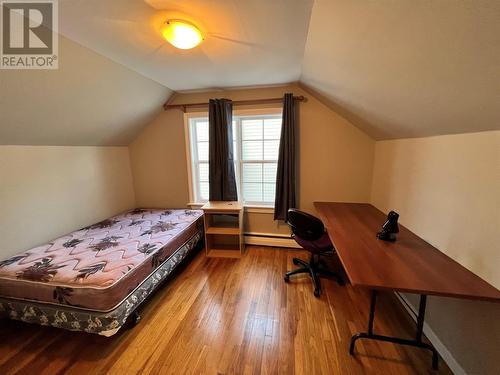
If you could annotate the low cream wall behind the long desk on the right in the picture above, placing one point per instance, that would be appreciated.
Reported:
(447, 190)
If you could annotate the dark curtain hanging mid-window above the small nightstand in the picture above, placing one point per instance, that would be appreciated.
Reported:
(220, 151)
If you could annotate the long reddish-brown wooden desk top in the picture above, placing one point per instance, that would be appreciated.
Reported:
(408, 265)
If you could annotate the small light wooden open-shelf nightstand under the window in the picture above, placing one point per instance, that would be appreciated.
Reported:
(224, 229)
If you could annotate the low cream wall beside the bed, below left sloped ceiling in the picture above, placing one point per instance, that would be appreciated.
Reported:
(49, 191)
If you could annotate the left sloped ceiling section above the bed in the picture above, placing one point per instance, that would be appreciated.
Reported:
(89, 100)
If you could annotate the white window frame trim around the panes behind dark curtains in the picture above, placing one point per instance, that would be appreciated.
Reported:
(191, 150)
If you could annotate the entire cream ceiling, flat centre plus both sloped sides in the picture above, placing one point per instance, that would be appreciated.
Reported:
(395, 69)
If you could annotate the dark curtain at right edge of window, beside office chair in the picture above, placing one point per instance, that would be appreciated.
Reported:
(285, 177)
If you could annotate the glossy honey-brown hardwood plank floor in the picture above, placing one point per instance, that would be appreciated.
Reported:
(229, 316)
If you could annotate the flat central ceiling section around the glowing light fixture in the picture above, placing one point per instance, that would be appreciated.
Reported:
(246, 42)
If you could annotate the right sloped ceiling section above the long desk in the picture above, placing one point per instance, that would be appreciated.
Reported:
(407, 68)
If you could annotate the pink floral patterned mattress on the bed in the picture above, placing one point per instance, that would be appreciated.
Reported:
(97, 267)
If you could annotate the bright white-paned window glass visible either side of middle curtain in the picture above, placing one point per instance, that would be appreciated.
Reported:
(256, 141)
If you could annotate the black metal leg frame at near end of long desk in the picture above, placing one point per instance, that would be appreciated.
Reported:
(418, 337)
